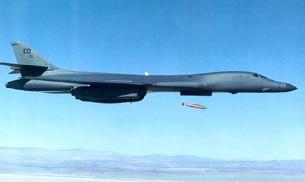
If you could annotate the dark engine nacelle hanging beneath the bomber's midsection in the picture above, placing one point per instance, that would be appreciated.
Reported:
(109, 94)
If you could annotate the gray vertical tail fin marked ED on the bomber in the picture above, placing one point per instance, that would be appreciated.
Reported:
(25, 55)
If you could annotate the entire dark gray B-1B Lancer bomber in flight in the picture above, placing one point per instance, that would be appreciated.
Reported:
(37, 74)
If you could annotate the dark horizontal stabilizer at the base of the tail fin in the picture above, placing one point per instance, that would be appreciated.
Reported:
(25, 70)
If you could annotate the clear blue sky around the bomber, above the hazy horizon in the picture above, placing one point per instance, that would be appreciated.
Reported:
(160, 37)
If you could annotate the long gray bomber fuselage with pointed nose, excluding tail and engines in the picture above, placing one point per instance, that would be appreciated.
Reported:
(60, 81)
